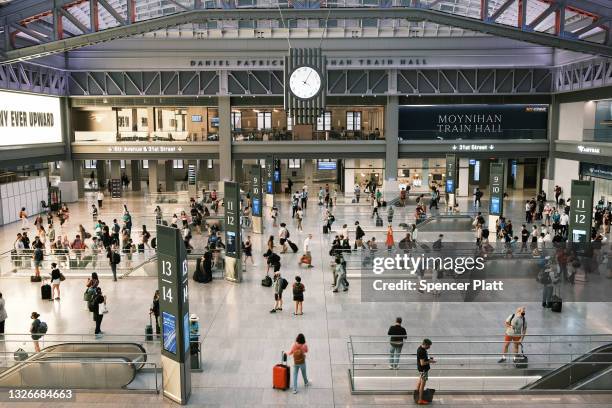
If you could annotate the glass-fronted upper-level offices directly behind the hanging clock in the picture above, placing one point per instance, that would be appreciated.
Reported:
(337, 123)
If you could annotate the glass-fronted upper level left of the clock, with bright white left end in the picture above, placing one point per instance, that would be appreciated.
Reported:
(146, 124)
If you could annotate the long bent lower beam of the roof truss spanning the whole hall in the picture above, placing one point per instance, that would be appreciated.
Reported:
(188, 17)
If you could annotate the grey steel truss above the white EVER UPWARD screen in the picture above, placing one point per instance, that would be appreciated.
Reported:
(33, 78)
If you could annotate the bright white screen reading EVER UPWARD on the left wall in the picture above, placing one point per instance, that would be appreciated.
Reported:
(29, 119)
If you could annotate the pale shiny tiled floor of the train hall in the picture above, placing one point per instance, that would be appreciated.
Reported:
(242, 340)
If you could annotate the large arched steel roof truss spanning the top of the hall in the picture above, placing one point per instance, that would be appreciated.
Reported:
(40, 39)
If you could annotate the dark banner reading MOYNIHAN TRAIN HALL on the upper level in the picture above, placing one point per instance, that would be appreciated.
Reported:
(451, 122)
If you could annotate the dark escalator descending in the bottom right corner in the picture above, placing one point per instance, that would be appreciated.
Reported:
(591, 371)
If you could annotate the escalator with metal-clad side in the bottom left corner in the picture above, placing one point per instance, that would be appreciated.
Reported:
(96, 365)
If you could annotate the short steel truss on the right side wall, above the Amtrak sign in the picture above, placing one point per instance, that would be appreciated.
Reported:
(592, 73)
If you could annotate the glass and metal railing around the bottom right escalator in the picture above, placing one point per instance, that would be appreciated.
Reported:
(468, 363)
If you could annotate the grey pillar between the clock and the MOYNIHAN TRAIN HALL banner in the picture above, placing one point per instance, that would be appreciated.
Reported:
(391, 185)
